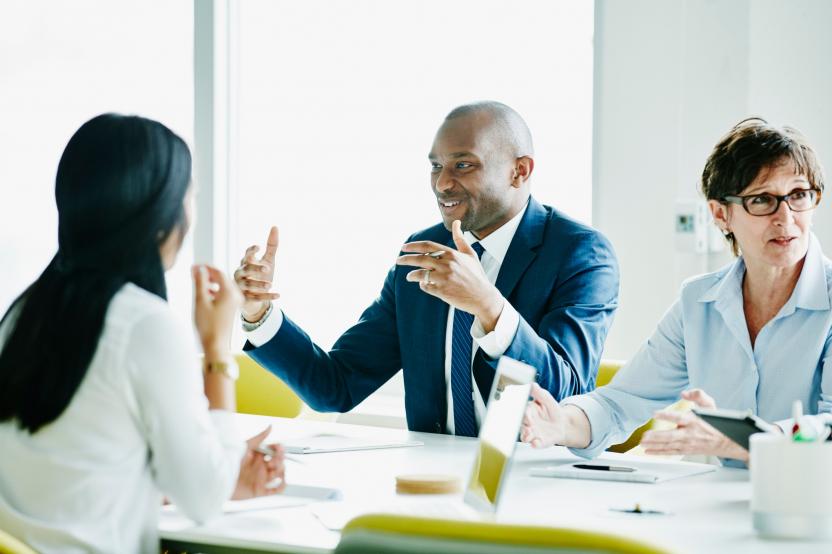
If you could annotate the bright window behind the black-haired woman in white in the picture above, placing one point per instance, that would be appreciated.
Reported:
(68, 63)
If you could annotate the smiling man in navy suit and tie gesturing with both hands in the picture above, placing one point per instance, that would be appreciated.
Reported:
(502, 275)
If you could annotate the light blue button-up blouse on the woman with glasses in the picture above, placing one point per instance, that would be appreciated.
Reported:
(702, 342)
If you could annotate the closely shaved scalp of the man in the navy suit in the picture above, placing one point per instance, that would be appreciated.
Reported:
(507, 128)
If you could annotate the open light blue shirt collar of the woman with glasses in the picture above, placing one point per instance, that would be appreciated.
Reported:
(810, 293)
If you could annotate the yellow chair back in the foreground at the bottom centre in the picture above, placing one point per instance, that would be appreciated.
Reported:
(397, 534)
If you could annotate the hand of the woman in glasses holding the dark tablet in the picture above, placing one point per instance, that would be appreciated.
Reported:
(691, 435)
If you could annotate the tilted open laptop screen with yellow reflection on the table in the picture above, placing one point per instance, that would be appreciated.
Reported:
(498, 433)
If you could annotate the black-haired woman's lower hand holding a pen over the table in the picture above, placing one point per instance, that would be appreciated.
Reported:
(258, 470)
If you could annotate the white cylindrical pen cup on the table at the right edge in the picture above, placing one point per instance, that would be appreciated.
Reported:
(791, 487)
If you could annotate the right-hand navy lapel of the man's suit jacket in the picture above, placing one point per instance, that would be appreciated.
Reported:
(522, 250)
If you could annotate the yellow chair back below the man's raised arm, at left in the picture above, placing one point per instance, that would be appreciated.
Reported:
(260, 392)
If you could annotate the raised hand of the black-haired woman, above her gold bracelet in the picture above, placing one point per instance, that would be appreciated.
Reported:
(216, 301)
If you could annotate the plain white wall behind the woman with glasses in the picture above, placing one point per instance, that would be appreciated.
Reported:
(671, 77)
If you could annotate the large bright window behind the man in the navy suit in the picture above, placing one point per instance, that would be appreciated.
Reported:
(338, 103)
